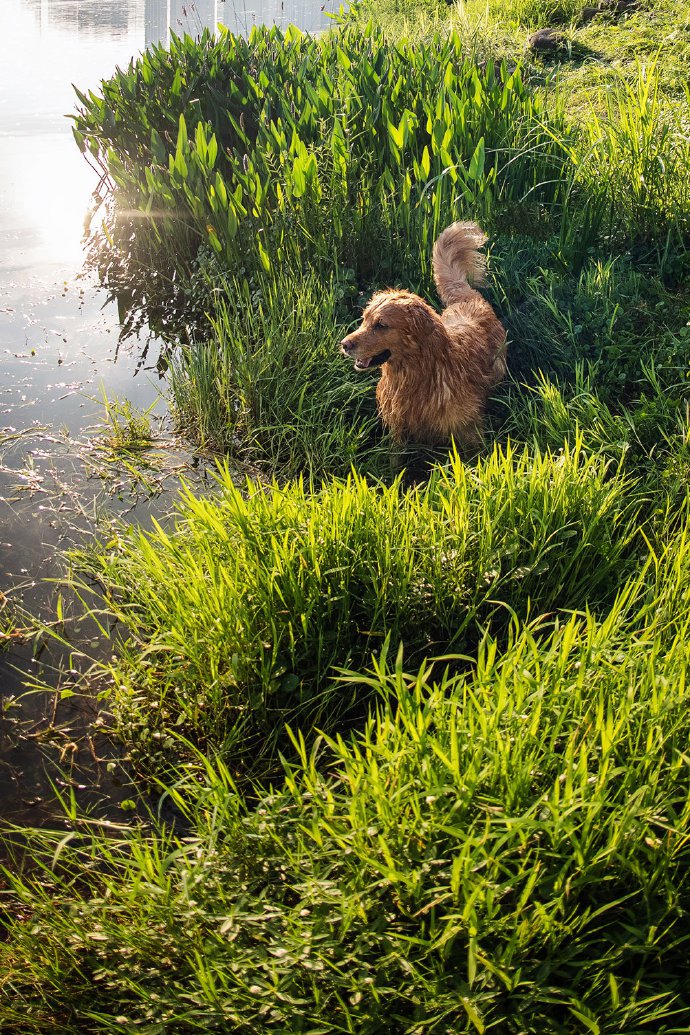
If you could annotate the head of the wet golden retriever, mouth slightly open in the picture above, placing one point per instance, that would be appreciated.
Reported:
(395, 324)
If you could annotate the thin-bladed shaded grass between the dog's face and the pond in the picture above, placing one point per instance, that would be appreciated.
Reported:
(269, 386)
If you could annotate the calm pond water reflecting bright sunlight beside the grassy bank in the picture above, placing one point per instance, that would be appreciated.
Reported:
(59, 350)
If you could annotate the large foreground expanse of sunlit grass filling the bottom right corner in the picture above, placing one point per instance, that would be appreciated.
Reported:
(504, 848)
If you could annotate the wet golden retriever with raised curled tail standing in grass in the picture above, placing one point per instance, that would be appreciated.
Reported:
(438, 371)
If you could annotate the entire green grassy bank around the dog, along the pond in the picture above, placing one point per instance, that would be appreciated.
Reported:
(423, 747)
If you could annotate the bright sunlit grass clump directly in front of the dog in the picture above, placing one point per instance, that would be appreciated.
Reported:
(247, 609)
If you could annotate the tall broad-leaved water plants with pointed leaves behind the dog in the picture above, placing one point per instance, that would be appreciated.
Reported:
(285, 150)
